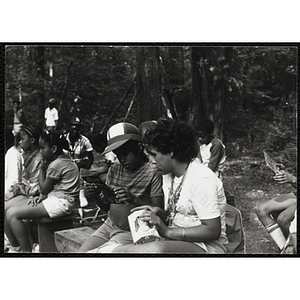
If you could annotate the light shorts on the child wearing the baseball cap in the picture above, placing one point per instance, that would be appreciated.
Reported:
(108, 231)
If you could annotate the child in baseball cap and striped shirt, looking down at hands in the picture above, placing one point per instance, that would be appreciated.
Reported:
(134, 181)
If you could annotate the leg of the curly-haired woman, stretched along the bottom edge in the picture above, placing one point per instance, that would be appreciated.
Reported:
(161, 247)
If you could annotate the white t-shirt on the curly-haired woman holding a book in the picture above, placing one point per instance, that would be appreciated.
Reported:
(202, 197)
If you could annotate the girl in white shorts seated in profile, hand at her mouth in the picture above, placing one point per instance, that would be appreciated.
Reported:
(59, 189)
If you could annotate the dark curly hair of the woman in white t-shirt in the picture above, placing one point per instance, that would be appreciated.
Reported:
(169, 135)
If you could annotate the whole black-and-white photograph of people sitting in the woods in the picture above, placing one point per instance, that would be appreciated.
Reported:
(202, 138)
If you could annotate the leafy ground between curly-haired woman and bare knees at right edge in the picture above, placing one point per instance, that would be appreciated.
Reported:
(251, 183)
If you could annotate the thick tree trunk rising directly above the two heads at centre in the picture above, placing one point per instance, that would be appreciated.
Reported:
(148, 84)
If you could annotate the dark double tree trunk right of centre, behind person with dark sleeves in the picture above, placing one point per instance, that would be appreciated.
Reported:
(211, 73)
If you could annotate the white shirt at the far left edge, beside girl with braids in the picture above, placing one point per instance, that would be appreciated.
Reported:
(13, 167)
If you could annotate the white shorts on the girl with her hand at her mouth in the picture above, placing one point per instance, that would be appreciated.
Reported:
(57, 207)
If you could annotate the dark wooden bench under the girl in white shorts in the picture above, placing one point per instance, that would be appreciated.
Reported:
(46, 228)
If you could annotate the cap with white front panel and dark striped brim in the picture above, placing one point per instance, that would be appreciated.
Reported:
(119, 134)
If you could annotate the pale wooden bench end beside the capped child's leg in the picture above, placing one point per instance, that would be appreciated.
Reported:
(70, 240)
